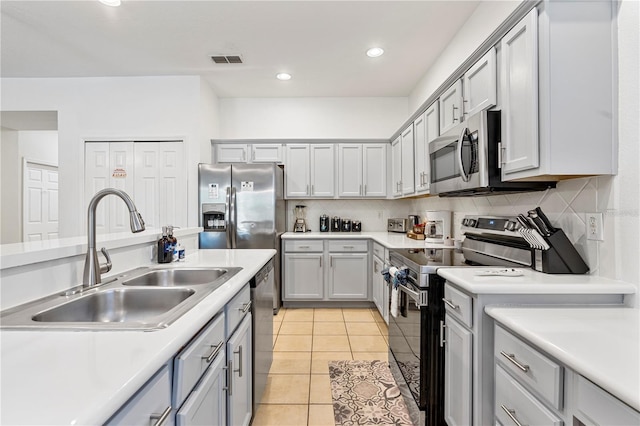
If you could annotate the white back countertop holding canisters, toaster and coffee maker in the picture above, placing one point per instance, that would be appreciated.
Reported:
(388, 239)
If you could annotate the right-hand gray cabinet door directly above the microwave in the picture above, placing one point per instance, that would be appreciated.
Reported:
(479, 84)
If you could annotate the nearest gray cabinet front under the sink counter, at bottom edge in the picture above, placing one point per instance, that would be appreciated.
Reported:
(150, 404)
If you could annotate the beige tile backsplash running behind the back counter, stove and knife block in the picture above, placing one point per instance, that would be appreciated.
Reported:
(566, 207)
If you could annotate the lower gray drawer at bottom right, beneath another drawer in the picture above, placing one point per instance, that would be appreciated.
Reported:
(511, 397)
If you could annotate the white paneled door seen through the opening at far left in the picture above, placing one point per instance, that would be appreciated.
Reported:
(39, 201)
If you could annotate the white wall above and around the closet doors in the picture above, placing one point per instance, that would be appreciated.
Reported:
(114, 109)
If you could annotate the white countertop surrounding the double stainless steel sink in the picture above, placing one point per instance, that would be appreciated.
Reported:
(83, 377)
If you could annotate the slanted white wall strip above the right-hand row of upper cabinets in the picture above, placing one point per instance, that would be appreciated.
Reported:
(484, 20)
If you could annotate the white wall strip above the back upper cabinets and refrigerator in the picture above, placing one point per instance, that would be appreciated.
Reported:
(315, 118)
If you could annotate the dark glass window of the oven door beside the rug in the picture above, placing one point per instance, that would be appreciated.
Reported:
(404, 341)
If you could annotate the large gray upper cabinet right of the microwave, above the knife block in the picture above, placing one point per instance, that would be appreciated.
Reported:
(557, 92)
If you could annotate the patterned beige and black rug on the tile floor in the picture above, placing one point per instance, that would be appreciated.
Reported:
(365, 393)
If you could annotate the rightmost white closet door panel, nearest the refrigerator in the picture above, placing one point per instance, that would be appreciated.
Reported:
(173, 184)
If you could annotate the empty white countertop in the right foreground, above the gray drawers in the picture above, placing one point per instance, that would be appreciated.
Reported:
(601, 344)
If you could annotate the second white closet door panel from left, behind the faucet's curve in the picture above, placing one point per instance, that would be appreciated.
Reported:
(121, 177)
